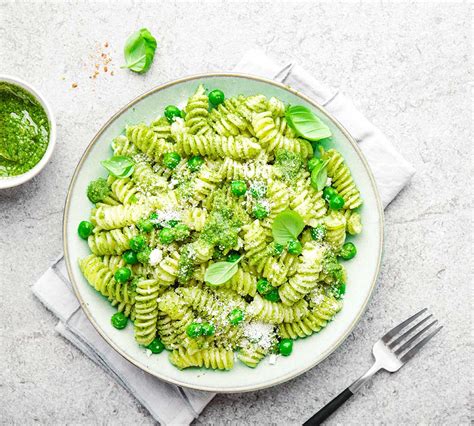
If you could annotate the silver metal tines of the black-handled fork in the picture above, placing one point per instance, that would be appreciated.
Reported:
(406, 345)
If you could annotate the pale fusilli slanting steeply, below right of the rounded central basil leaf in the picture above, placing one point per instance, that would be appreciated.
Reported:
(307, 273)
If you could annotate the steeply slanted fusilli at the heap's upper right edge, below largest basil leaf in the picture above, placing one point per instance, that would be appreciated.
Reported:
(342, 179)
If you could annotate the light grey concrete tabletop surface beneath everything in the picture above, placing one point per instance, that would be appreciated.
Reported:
(405, 64)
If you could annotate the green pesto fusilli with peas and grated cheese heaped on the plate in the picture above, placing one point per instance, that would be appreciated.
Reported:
(208, 184)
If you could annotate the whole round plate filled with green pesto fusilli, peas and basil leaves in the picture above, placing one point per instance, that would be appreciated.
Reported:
(223, 232)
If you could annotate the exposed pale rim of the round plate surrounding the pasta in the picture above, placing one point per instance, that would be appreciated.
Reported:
(362, 270)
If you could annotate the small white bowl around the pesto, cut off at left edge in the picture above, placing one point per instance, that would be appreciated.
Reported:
(10, 181)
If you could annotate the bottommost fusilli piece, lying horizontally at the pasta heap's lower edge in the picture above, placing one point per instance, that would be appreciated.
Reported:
(214, 358)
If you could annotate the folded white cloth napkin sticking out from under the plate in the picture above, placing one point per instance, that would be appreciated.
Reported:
(170, 404)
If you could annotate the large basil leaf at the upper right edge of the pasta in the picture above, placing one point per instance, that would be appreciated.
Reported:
(306, 124)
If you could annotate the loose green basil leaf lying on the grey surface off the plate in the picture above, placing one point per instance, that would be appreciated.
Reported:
(139, 51)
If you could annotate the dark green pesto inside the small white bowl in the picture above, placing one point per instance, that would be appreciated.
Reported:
(24, 130)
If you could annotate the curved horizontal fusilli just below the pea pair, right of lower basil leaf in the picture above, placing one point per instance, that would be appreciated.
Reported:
(276, 313)
